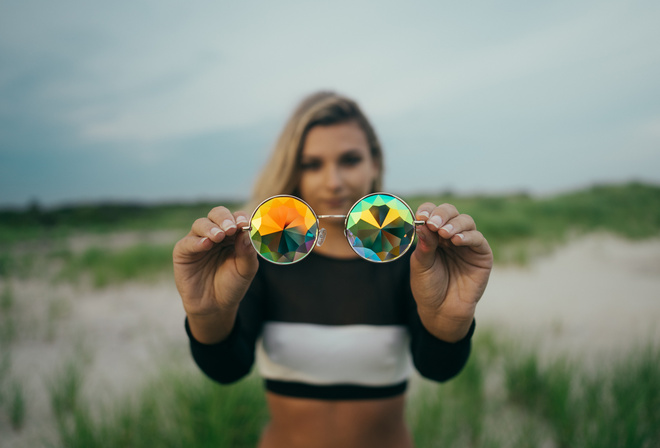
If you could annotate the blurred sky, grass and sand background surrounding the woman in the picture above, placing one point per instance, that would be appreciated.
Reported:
(122, 122)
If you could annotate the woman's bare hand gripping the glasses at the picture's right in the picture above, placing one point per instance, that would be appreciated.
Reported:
(449, 270)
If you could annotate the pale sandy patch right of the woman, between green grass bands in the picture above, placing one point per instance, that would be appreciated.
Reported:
(598, 295)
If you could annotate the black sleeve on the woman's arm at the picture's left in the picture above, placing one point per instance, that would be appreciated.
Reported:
(232, 358)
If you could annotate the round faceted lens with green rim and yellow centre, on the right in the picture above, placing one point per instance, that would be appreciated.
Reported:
(380, 227)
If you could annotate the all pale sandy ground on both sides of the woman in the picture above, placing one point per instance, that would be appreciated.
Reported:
(599, 295)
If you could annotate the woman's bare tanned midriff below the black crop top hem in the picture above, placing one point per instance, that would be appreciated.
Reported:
(309, 423)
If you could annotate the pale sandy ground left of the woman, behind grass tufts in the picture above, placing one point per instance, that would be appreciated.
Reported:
(119, 337)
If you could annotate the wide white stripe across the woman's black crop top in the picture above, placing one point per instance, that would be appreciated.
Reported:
(370, 355)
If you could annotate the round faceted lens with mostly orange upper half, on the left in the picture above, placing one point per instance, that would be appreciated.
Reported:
(284, 229)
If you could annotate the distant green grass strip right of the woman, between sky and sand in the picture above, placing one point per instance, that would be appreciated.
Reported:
(519, 227)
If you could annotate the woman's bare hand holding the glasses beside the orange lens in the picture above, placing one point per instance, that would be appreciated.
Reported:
(213, 267)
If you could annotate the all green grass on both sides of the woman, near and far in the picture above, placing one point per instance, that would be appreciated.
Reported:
(506, 397)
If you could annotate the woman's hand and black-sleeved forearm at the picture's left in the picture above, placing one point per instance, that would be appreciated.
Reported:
(213, 270)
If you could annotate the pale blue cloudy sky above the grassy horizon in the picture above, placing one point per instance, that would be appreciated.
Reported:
(163, 101)
